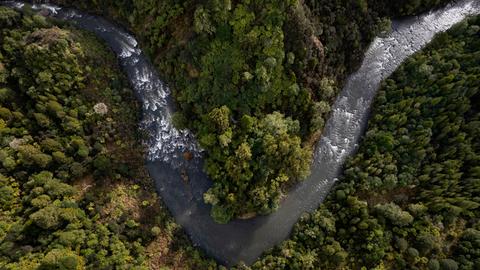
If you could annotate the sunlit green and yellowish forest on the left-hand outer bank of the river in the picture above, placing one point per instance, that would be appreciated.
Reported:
(71, 166)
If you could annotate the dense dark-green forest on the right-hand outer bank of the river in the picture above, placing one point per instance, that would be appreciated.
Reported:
(410, 198)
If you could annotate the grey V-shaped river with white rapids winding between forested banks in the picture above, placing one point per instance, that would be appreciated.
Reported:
(182, 183)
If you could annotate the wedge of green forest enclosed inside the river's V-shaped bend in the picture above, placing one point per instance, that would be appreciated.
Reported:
(254, 80)
